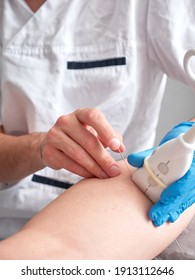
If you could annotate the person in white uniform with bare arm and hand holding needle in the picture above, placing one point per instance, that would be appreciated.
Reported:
(67, 56)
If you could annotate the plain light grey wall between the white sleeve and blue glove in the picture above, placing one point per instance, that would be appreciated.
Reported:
(178, 105)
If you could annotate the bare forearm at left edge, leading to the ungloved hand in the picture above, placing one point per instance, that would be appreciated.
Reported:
(20, 156)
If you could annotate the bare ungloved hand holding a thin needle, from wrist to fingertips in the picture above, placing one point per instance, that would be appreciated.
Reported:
(78, 141)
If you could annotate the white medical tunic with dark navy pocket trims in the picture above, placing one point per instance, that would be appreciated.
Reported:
(111, 55)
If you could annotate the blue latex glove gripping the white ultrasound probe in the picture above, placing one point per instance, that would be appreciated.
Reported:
(178, 196)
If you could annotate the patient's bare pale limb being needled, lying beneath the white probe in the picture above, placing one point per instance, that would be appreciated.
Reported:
(95, 219)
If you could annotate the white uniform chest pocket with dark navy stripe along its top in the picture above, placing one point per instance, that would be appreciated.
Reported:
(96, 75)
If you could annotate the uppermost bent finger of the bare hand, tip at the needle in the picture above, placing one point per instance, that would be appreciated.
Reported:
(106, 133)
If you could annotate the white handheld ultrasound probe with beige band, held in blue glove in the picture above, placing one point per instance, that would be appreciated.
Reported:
(168, 163)
